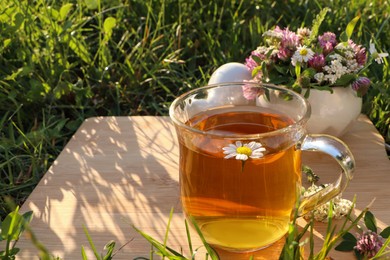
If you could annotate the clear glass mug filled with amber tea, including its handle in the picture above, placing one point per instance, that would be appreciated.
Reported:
(240, 161)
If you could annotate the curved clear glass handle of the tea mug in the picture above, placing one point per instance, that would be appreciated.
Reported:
(341, 153)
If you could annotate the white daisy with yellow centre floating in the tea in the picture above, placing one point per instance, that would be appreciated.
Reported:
(244, 151)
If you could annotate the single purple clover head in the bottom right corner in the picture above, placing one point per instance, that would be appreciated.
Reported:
(369, 243)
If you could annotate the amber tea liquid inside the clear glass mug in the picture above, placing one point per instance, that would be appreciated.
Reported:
(238, 207)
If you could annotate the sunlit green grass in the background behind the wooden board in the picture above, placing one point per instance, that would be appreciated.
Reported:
(64, 61)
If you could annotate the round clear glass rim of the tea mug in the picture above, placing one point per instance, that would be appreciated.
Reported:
(283, 130)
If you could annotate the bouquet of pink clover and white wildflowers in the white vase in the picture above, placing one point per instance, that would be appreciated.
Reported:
(305, 59)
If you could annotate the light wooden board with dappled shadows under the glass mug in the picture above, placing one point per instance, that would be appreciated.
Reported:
(121, 171)
